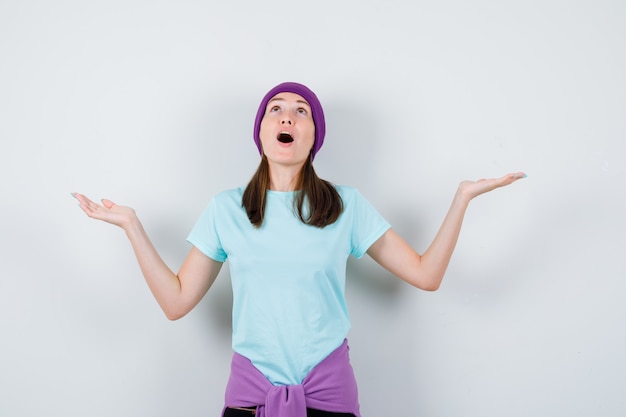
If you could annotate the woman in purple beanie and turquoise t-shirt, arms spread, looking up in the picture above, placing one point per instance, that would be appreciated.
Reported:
(287, 236)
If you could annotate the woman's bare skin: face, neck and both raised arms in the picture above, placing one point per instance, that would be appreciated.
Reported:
(178, 293)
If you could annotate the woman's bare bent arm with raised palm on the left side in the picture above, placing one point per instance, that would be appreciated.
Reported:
(178, 293)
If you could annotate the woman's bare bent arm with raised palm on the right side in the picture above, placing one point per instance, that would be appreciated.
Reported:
(426, 271)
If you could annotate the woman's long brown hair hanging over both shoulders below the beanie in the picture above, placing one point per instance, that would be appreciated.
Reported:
(316, 201)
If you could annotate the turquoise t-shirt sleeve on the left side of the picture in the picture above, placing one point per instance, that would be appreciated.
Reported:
(205, 235)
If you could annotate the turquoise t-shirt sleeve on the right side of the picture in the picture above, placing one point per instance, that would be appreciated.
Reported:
(368, 224)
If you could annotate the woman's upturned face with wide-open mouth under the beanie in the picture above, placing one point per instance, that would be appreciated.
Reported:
(287, 130)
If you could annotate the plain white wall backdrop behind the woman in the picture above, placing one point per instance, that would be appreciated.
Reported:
(151, 104)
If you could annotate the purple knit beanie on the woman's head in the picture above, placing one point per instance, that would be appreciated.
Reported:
(316, 109)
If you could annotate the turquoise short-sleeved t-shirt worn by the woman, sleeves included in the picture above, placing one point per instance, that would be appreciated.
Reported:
(288, 278)
